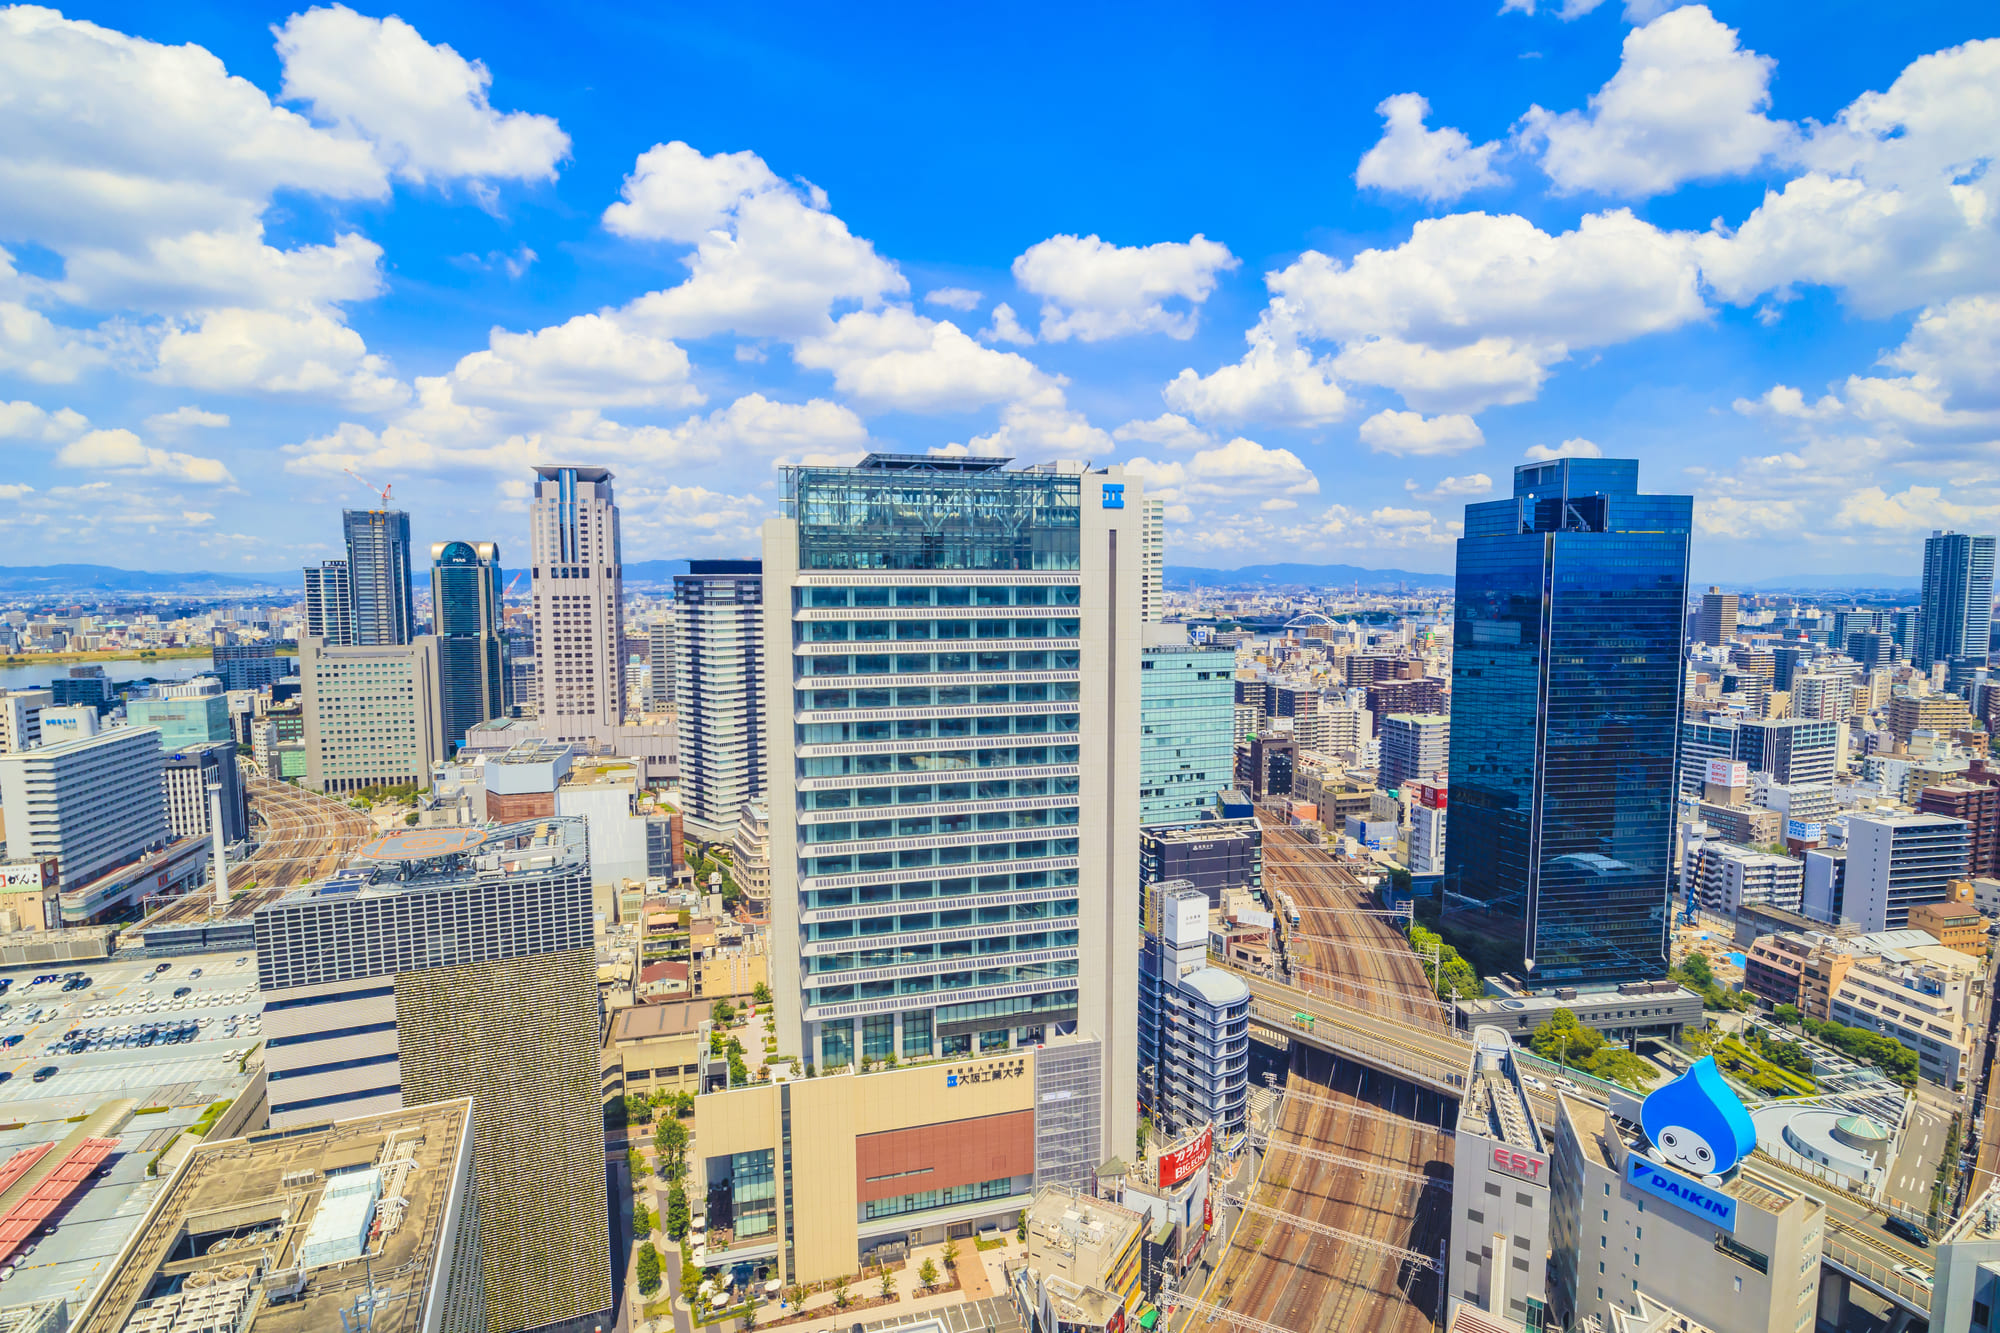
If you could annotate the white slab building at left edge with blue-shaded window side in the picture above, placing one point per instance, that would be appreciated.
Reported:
(93, 804)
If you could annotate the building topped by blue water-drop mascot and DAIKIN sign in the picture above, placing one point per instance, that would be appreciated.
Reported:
(1649, 1202)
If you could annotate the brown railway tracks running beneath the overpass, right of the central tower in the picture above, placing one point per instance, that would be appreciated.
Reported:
(1349, 1118)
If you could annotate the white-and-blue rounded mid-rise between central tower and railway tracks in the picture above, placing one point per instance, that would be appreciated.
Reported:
(1193, 1022)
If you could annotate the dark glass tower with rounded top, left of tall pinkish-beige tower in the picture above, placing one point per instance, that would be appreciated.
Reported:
(465, 609)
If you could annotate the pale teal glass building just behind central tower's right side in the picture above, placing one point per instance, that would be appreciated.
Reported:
(1187, 704)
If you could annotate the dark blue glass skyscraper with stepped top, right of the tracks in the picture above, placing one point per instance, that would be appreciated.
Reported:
(1567, 684)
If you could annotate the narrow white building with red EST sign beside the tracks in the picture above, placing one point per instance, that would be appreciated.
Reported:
(1501, 1192)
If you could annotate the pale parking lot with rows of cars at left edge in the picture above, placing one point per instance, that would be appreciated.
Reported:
(171, 1084)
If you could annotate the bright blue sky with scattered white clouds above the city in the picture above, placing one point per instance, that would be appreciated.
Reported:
(1321, 277)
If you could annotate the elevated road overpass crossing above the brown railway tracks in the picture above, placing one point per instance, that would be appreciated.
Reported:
(1435, 1058)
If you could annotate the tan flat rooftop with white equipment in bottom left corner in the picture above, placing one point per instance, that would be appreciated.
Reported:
(265, 1234)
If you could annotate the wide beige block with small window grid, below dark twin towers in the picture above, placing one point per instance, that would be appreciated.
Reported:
(371, 714)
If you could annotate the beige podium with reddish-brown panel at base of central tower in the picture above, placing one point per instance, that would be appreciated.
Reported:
(811, 1178)
